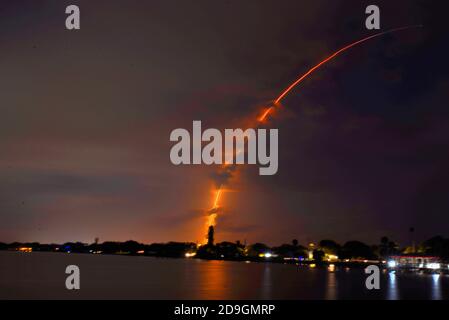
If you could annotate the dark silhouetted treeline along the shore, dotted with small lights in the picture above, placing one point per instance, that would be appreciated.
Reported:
(325, 250)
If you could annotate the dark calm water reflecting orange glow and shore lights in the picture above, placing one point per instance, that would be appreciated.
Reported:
(42, 276)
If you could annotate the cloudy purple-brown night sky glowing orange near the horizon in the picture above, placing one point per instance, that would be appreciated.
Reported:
(85, 119)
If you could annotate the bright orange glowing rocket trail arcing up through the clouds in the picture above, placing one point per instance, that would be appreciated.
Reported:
(268, 110)
